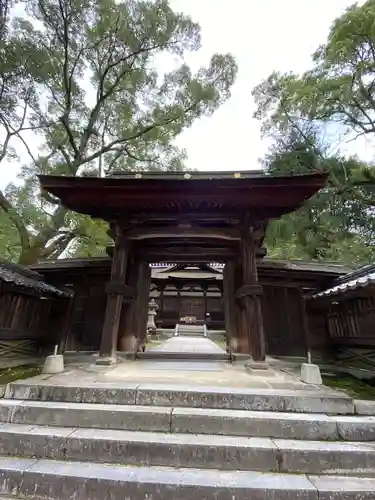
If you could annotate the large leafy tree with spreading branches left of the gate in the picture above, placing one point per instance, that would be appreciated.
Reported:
(104, 102)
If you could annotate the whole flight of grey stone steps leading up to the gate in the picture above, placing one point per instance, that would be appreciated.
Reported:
(145, 441)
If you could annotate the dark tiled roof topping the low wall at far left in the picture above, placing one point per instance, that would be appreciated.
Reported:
(24, 278)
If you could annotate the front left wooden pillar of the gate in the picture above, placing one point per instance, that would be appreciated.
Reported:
(115, 290)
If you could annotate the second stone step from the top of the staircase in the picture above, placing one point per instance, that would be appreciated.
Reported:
(189, 420)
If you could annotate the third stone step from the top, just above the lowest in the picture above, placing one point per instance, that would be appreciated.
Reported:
(180, 450)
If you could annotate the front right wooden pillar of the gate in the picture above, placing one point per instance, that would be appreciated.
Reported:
(249, 296)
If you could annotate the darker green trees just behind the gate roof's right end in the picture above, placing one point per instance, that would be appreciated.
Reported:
(330, 226)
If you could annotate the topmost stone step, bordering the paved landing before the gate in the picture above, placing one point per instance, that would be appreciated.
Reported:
(146, 394)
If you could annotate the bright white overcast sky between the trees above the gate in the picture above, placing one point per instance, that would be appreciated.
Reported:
(263, 36)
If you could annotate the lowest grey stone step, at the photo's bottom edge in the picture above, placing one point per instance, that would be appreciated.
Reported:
(90, 481)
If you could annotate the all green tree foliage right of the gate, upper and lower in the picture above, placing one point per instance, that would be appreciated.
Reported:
(307, 115)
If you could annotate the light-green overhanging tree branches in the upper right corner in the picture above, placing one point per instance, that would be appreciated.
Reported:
(340, 86)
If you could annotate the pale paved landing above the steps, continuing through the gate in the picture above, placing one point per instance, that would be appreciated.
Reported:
(206, 373)
